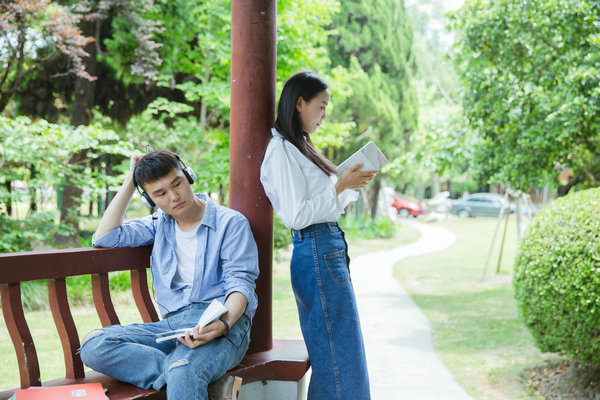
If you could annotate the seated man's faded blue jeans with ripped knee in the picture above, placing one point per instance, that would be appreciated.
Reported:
(130, 354)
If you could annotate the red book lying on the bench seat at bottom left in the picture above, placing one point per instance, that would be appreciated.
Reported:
(86, 391)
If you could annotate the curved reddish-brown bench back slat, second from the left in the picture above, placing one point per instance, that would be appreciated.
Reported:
(65, 326)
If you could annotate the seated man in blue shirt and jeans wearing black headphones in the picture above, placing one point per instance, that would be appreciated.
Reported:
(201, 251)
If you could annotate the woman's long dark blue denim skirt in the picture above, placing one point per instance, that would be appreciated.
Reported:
(328, 314)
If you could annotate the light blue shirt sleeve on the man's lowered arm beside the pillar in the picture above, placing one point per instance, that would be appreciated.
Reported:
(239, 257)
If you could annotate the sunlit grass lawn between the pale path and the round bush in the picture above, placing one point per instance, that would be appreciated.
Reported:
(476, 329)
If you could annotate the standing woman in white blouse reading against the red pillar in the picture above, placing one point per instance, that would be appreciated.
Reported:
(306, 194)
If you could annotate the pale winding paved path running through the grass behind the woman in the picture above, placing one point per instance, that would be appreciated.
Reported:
(400, 355)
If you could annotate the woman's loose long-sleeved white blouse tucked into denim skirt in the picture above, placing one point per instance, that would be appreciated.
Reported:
(300, 192)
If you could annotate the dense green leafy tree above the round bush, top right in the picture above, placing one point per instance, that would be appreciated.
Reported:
(531, 71)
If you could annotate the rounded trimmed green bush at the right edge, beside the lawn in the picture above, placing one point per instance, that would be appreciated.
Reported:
(557, 276)
